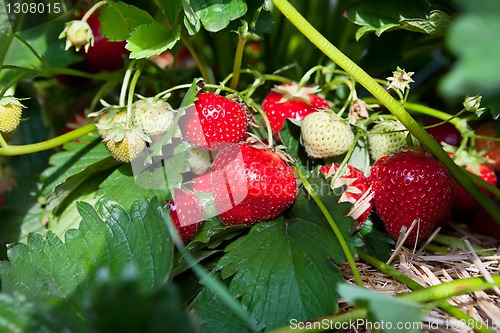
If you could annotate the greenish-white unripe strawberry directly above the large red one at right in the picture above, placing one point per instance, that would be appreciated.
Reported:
(386, 138)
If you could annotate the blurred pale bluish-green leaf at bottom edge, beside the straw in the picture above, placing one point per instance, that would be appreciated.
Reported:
(381, 308)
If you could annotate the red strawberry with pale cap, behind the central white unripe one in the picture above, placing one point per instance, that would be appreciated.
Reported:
(287, 101)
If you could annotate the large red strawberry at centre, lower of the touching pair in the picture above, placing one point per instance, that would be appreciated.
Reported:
(251, 183)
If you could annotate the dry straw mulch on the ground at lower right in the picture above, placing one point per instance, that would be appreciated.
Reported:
(428, 268)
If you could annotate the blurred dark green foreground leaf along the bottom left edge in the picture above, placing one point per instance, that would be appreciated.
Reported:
(113, 304)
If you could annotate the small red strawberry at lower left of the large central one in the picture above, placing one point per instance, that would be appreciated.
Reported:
(186, 212)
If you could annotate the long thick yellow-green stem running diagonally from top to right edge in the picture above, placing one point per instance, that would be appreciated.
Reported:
(394, 106)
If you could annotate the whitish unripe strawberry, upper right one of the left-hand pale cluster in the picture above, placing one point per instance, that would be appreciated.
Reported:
(152, 115)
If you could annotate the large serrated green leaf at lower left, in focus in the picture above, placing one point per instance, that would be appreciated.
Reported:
(108, 238)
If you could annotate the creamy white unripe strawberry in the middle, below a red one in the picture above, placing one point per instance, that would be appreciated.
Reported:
(324, 134)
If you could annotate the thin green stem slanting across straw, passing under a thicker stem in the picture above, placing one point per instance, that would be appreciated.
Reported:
(413, 285)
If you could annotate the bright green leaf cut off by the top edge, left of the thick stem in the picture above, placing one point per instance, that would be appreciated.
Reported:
(215, 15)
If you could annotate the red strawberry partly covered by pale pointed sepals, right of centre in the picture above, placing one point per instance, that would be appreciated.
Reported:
(357, 190)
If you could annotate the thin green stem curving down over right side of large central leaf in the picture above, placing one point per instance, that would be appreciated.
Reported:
(333, 225)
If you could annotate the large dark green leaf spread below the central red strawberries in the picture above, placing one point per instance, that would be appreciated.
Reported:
(283, 270)
